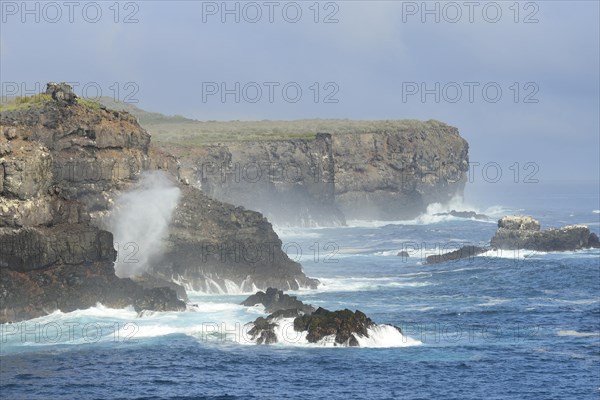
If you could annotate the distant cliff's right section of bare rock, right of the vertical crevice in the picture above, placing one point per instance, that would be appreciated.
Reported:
(396, 175)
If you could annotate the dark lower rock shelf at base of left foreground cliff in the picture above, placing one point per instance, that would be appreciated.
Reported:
(67, 267)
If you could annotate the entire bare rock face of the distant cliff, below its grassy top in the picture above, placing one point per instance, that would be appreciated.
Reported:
(384, 175)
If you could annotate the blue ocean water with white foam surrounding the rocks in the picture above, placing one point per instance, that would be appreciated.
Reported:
(515, 325)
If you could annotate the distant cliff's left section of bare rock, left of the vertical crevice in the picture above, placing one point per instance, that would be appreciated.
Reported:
(287, 181)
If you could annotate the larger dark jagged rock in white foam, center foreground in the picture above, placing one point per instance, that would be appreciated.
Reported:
(343, 324)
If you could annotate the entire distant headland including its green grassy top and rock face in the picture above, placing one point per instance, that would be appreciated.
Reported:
(317, 172)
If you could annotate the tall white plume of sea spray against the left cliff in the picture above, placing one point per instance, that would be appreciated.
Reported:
(140, 222)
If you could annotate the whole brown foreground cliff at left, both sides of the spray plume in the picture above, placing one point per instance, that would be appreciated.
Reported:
(62, 165)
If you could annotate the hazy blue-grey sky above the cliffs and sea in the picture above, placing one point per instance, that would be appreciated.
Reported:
(520, 80)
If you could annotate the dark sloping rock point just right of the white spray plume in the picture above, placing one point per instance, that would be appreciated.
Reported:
(233, 244)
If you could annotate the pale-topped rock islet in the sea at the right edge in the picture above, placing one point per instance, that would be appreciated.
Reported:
(523, 232)
